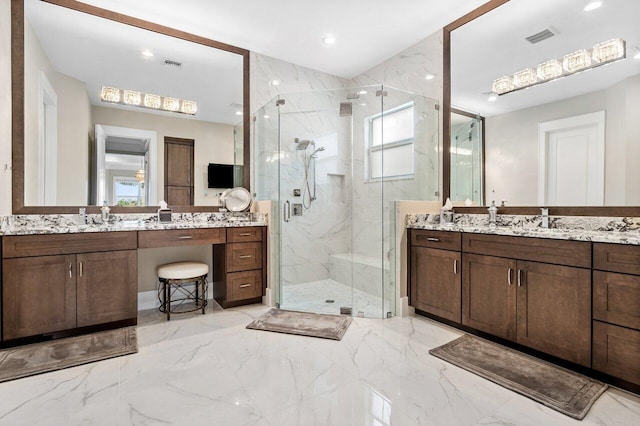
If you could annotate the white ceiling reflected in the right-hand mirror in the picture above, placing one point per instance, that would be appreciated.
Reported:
(494, 45)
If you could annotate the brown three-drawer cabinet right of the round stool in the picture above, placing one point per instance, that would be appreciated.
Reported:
(239, 267)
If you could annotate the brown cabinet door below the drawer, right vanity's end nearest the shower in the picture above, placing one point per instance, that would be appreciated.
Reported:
(436, 282)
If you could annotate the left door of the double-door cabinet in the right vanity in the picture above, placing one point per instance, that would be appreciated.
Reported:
(489, 294)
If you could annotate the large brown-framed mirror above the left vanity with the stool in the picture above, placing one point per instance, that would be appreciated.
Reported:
(100, 100)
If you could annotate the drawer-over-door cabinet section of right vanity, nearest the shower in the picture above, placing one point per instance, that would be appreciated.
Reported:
(435, 284)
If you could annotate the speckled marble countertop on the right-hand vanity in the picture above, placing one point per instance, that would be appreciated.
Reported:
(617, 235)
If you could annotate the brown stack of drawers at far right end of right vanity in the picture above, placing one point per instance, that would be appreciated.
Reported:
(616, 311)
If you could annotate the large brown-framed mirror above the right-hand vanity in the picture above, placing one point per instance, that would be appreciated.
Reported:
(555, 88)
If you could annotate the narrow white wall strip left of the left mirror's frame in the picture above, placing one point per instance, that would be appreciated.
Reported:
(5, 108)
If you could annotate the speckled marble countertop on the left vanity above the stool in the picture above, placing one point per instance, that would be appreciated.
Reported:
(65, 225)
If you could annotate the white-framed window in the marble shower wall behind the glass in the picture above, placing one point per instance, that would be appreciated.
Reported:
(390, 143)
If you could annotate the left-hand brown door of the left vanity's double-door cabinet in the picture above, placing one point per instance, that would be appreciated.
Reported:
(38, 295)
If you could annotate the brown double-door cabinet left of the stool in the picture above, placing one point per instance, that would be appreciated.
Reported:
(53, 283)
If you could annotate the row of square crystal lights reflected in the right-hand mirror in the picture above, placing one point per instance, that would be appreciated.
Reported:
(602, 53)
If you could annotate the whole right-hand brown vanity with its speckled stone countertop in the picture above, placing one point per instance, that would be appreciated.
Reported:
(578, 301)
